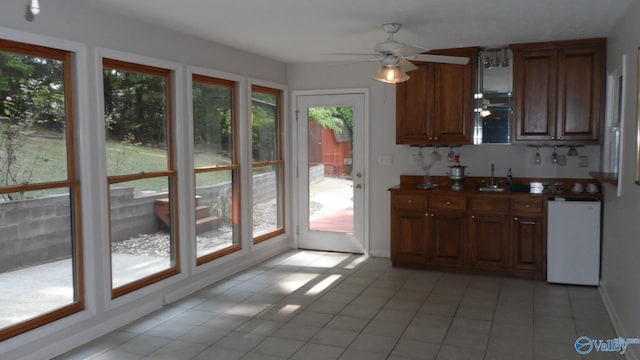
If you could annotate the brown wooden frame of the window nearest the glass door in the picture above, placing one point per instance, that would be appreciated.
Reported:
(280, 95)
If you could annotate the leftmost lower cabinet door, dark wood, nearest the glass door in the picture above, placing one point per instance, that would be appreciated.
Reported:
(407, 236)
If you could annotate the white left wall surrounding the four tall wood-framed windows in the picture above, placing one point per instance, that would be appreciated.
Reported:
(73, 25)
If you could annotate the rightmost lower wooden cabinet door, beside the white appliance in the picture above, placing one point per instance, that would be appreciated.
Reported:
(528, 243)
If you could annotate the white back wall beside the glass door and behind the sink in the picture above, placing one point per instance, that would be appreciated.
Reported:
(382, 131)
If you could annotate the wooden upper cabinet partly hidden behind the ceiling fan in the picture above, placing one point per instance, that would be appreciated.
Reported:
(435, 106)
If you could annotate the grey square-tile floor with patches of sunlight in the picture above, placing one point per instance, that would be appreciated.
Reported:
(317, 305)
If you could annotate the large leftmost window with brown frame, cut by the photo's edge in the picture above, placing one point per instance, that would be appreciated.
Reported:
(40, 257)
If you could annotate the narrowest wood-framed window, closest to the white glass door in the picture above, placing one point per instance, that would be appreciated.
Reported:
(268, 163)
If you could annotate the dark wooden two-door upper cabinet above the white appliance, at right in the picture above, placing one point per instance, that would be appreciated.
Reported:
(559, 91)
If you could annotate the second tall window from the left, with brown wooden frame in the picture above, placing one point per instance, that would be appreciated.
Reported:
(141, 175)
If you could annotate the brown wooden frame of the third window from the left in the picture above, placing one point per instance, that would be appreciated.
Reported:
(197, 77)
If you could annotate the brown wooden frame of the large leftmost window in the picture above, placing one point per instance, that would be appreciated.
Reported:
(72, 184)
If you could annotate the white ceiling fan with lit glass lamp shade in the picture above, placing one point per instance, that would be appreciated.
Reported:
(395, 55)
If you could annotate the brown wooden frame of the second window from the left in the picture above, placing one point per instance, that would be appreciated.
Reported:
(171, 174)
